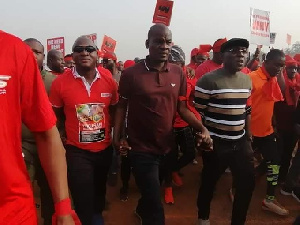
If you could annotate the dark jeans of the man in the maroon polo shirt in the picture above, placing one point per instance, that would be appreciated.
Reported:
(145, 168)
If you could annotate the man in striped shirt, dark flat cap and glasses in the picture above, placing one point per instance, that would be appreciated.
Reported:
(223, 97)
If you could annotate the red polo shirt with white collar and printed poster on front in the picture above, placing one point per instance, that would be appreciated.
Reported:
(86, 107)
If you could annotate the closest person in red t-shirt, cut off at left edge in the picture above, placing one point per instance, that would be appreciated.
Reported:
(23, 98)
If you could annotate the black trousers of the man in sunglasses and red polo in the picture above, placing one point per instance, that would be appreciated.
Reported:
(87, 175)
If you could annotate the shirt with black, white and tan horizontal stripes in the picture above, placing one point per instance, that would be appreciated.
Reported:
(223, 101)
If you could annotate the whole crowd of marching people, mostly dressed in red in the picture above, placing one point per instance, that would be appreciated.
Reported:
(239, 110)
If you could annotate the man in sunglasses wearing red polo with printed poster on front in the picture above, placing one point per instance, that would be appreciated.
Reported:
(83, 100)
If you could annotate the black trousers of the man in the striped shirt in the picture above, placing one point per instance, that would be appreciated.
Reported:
(238, 156)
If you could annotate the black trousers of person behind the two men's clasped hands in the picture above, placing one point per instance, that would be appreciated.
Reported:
(185, 140)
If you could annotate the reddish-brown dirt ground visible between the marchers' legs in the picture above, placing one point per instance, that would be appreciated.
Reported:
(184, 211)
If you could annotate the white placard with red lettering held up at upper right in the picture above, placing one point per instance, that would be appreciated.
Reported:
(259, 27)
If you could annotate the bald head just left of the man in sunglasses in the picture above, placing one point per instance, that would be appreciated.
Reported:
(55, 61)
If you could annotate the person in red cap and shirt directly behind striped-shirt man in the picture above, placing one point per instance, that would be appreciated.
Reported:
(215, 63)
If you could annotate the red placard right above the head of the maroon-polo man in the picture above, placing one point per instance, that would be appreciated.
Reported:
(163, 12)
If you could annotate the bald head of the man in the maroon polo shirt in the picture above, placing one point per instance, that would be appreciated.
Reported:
(159, 43)
